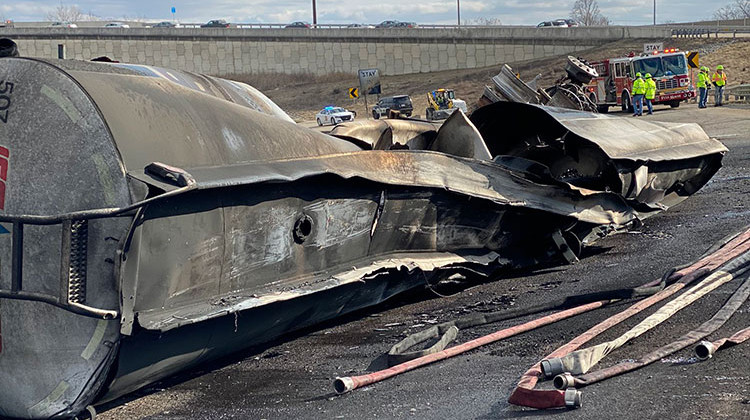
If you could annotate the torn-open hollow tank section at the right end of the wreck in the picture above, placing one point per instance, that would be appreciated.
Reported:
(655, 165)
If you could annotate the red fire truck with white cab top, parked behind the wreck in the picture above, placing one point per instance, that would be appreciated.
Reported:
(614, 85)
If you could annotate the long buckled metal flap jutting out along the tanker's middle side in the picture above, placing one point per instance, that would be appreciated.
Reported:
(425, 169)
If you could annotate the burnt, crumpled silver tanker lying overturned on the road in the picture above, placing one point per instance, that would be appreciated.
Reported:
(153, 220)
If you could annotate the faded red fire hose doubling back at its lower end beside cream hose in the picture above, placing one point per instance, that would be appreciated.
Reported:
(525, 395)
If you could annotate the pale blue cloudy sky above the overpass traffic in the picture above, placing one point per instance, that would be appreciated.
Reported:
(510, 12)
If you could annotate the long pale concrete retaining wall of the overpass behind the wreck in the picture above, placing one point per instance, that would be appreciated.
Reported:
(320, 51)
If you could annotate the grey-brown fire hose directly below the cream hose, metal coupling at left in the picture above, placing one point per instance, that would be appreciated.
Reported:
(566, 380)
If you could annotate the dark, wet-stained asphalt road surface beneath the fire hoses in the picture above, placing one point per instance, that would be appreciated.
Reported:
(292, 377)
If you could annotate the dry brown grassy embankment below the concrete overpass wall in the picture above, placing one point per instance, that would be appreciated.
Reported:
(303, 95)
